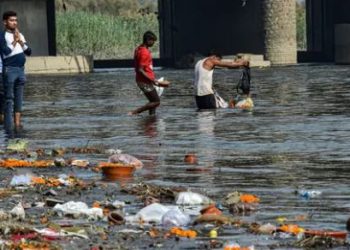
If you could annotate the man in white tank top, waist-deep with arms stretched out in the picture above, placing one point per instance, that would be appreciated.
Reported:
(203, 79)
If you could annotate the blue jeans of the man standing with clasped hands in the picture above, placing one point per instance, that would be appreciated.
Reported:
(14, 80)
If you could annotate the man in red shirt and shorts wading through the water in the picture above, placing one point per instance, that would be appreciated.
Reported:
(145, 77)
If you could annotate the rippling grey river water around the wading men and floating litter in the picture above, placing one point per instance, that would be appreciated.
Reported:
(296, 138)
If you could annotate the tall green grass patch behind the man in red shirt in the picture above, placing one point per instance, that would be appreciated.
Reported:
(103, 36)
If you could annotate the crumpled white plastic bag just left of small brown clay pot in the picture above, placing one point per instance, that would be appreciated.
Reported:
(77, 209)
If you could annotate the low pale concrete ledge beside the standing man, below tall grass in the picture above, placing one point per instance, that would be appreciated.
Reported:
(59, 64)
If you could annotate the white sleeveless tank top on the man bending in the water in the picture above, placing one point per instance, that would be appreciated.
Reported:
(203, 79)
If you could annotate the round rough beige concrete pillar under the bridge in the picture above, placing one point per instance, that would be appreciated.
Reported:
(280, 31)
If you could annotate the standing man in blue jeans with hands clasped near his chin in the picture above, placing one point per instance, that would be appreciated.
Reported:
(13, 70)
